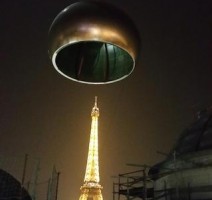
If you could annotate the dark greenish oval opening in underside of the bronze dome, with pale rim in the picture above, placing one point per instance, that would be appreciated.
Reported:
(94, 62)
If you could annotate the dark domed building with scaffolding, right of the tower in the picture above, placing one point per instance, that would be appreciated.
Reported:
(186, 173)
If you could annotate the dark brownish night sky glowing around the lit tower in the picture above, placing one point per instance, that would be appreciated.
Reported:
(46, 115)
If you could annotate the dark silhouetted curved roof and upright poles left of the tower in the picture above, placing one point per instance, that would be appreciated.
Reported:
(20, 180)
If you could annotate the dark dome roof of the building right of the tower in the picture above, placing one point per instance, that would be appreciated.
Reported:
(193, 148)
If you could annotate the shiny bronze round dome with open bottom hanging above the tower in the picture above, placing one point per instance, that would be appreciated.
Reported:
(93, 42)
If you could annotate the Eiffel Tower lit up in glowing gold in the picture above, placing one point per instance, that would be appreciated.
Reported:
(91, 189)
